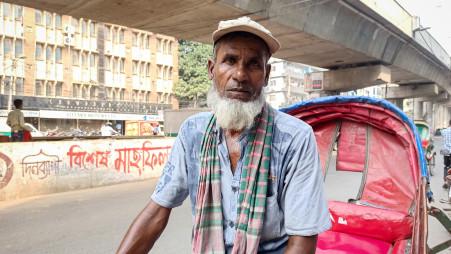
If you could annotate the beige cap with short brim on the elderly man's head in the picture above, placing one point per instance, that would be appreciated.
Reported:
(245, 24)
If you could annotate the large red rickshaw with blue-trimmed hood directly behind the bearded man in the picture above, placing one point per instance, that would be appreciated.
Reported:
(375, 176)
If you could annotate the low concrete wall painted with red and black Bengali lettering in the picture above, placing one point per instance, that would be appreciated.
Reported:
(36, 168)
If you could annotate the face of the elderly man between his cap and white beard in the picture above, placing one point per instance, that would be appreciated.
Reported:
(240, 69)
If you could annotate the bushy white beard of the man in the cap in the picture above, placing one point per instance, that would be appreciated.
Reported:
(232, 114)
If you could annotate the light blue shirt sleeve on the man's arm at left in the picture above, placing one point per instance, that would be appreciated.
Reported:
(172, 188)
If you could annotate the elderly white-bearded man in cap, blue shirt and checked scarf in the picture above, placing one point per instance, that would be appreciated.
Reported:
(252, 173)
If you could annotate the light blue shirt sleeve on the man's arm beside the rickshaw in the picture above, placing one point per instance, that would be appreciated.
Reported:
(303, 198)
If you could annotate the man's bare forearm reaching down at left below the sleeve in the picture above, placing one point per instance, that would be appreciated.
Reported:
(145, 229)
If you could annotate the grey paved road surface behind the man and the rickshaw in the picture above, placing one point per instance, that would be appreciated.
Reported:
(95, 220)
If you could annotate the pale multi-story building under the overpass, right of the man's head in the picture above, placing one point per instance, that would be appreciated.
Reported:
(286, 83)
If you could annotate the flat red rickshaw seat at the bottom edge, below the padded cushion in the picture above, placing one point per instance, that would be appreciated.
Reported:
(331, 242)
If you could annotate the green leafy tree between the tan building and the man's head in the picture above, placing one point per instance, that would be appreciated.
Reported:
(193, 81)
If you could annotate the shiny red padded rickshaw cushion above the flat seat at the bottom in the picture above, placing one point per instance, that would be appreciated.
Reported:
(382, 224)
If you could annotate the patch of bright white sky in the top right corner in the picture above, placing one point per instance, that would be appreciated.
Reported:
(435, 14)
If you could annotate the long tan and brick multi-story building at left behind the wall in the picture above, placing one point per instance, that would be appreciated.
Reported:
(75, 72)
